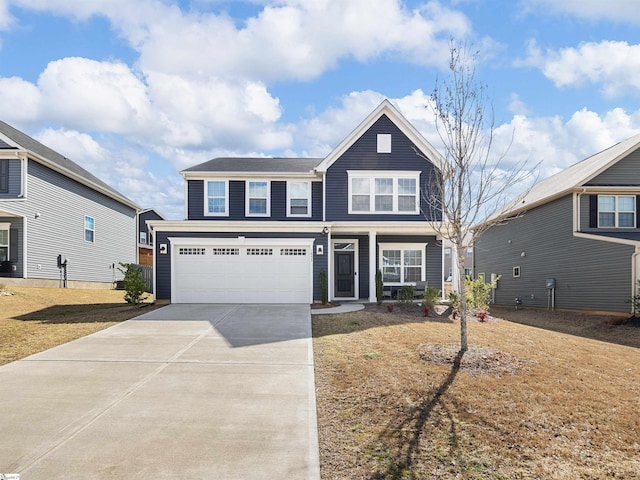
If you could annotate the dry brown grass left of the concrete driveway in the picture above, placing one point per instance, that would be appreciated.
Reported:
(35, 319)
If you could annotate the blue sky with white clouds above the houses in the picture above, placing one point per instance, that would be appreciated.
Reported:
(137, 91)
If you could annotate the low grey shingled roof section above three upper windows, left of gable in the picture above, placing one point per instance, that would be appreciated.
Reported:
(249, 165)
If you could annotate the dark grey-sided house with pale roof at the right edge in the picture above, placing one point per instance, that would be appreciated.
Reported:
(573, 242)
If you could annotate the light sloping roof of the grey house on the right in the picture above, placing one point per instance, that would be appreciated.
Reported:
(566, 181)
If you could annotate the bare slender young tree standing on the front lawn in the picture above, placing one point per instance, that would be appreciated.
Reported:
(473, 182)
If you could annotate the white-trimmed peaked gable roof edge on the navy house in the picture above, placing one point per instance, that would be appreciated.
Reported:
(385, 108)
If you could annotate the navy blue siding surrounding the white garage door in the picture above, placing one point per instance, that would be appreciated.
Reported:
(163, 262)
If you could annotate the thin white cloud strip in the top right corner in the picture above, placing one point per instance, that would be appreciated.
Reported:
(616, 10)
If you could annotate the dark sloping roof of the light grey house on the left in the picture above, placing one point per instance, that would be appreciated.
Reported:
(54, 160)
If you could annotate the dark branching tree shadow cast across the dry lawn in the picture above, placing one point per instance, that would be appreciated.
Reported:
(400, 442)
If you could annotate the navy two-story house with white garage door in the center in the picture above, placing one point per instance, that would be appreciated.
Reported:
(263, 229)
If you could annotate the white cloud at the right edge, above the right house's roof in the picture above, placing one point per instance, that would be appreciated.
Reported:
(615, 66)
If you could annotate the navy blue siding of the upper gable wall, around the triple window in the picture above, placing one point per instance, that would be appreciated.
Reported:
(362, 155)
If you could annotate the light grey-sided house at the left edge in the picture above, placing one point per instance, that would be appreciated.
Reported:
(57, 219)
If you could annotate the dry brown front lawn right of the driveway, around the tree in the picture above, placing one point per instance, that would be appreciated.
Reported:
(570, 409)
